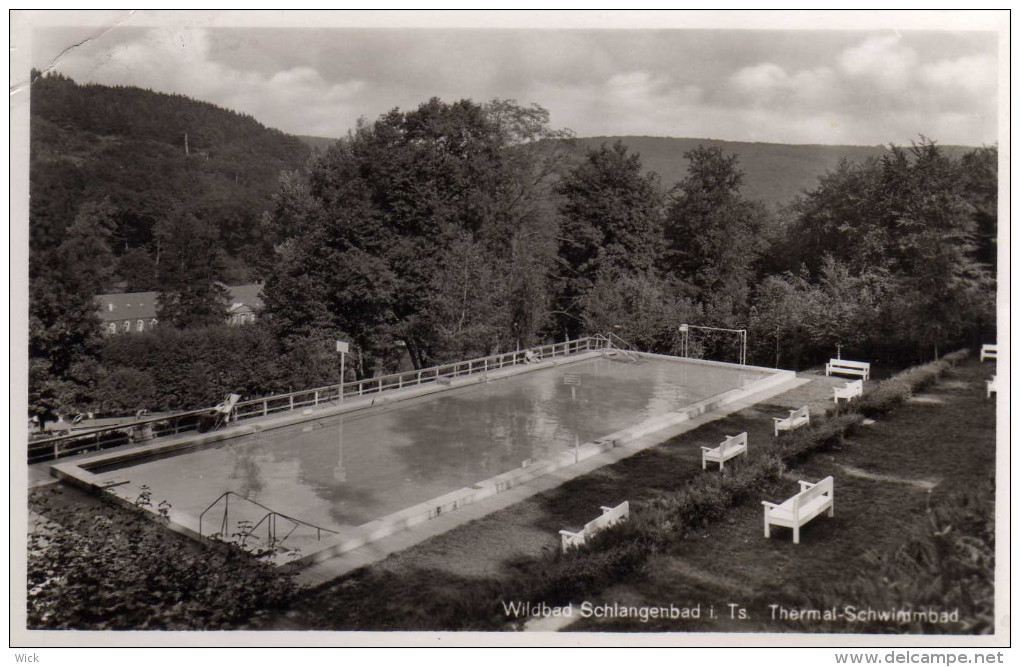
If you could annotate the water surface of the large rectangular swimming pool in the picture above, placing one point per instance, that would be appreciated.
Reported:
(343, 472)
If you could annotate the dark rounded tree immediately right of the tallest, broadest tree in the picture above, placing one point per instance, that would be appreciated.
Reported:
(610, 222)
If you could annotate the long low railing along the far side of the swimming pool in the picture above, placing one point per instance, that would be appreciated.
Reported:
(146, 430)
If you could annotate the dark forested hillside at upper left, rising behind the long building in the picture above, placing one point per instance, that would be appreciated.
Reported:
(149, 158)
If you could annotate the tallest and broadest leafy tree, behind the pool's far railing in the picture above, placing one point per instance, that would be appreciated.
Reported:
(414, 220)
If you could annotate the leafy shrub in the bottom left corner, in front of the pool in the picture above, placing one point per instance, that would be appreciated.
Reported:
(112, 569)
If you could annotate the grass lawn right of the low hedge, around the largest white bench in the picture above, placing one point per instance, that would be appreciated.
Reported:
(937, 446)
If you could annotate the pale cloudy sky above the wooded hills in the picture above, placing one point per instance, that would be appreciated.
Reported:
(861, 87)
